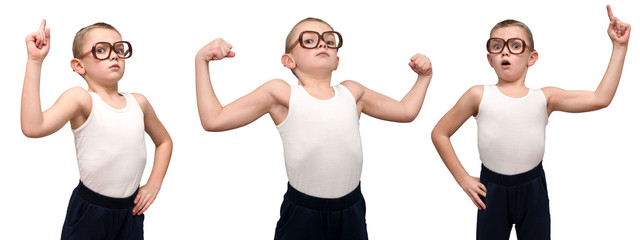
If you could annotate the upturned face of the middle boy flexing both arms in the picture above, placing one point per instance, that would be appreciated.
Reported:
(321, 58)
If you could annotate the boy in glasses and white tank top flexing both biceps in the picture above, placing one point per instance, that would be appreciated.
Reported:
(318, 124)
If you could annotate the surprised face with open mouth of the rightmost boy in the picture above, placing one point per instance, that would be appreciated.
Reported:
(509, 66)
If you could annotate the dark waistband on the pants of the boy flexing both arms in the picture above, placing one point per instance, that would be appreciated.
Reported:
(323, 204)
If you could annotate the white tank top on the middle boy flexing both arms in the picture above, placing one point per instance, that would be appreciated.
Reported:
(321, 141)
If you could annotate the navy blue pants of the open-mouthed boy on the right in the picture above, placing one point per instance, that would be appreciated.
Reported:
(520, 199)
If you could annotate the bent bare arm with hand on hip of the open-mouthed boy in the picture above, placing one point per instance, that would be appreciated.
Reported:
(466, 107)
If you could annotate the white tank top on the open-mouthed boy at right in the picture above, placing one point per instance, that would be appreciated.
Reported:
(511, 131)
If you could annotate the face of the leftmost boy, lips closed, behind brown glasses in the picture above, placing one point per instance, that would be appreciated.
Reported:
(110, 69)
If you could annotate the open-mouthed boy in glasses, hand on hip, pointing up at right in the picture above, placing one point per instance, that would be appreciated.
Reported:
(511, 131)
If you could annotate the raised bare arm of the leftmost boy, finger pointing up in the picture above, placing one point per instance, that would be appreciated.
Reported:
(35, 122)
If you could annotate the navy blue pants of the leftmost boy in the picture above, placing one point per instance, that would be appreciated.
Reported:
(94, 216)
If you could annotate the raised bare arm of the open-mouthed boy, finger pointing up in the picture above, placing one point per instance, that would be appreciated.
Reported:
(584, 101)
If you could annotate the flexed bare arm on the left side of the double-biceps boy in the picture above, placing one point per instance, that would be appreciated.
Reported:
(215, 117)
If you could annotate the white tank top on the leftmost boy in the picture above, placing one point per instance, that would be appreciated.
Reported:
(110, 148)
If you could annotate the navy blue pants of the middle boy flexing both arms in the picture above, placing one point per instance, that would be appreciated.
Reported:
(311, 218)
